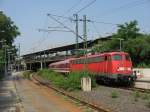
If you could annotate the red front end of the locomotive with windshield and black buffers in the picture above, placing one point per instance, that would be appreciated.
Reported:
(122, 67)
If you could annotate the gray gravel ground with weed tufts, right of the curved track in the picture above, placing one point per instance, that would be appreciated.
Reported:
(115, 99)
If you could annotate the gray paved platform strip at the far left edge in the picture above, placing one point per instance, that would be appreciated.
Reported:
(9, 100)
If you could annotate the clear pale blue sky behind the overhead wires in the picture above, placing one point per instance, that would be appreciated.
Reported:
(31, 15)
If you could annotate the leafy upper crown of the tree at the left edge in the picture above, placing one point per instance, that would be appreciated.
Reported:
(8, 30)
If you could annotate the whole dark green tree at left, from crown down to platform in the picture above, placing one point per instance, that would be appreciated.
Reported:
(8, 31)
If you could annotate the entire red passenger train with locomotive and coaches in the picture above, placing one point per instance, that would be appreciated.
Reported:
(107, 66)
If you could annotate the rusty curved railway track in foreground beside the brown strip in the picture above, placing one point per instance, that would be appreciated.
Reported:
(91, 105)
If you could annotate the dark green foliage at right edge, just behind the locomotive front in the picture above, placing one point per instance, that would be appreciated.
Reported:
(139, 50)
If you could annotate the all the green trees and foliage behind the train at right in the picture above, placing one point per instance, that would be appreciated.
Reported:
(135, 43)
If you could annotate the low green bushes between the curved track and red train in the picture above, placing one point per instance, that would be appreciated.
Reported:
(70, 82)
